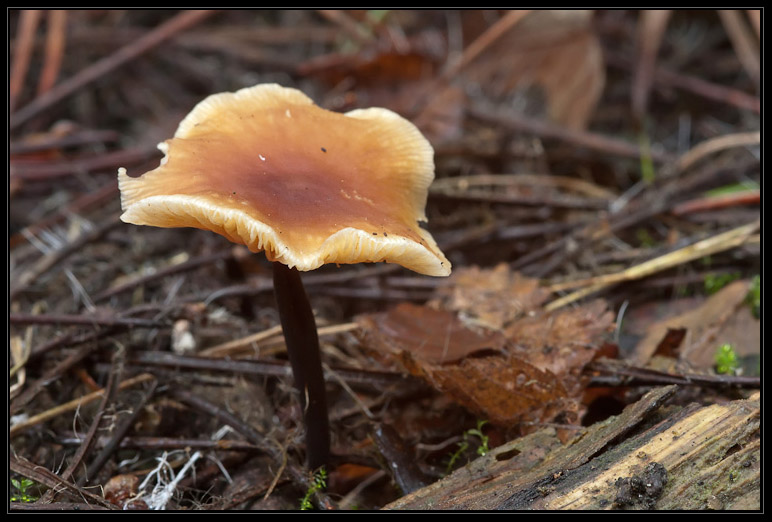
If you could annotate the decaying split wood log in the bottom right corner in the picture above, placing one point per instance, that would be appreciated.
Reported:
(689, 458)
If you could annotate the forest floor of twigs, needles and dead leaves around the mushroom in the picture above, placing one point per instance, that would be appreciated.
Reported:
(597, 345)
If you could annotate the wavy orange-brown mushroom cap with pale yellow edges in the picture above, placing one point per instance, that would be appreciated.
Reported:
(268, 169)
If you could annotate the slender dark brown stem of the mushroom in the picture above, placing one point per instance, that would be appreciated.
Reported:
(299, 327)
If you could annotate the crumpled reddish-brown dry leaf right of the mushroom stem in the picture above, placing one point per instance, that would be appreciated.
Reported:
(507, 360)
